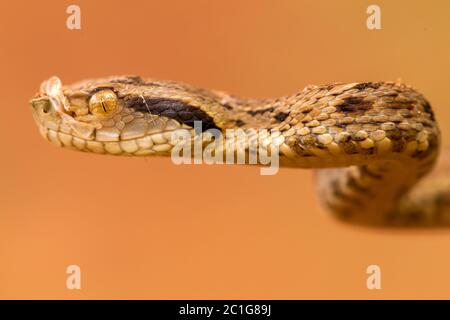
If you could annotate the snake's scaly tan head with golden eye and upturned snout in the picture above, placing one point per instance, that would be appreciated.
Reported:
(120, 115)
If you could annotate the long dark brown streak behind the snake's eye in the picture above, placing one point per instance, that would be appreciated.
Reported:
(171, 108)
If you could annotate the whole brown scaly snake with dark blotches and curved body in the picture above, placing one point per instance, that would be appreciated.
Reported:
(373, 146)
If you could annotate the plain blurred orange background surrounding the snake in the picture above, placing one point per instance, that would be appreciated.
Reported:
(144, 228)
